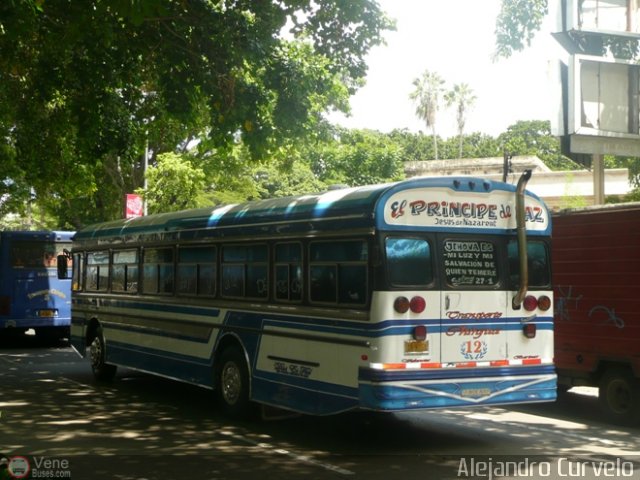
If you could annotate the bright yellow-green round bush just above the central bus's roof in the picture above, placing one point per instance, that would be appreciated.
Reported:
(173, 184)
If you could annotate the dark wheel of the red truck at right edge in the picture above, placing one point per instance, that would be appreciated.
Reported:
(619, 396)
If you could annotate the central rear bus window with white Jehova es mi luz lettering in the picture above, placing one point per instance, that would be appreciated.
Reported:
(470, 263)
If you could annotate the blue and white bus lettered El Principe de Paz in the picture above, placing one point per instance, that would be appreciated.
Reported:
(426, 293)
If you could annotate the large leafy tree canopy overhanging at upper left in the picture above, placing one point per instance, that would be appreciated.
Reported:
(84, 85)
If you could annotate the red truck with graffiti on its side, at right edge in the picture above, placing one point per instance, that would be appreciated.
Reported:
(596, 277)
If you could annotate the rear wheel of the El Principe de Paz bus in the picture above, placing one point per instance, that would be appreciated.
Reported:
(232, 383)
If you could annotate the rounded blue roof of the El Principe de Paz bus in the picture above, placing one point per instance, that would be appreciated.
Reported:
(357, 208)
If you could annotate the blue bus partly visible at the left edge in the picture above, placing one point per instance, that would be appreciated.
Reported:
(31, 294)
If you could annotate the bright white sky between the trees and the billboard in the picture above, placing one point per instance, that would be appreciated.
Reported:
(456, 39)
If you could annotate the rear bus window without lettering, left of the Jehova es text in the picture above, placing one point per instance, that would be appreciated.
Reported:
(409, 262)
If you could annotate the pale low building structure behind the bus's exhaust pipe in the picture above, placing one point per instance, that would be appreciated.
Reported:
(559, 189)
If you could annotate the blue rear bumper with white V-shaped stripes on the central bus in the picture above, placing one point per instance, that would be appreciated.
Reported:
(409, 390)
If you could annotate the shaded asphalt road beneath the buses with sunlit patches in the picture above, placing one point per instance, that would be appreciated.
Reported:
(64, 425)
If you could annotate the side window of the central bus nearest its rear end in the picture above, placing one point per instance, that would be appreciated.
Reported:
(338, 272)
